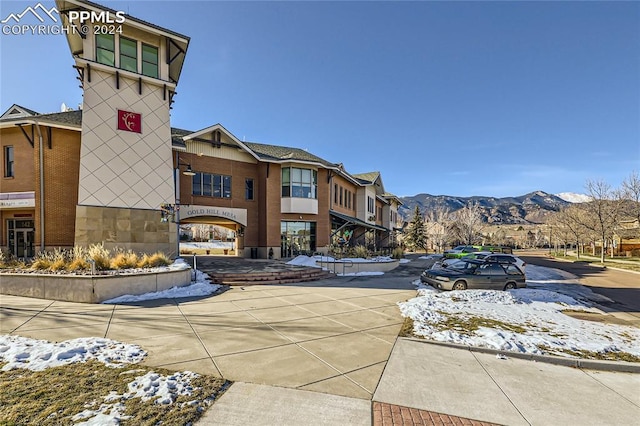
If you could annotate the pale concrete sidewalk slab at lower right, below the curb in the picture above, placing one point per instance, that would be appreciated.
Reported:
(508, 391)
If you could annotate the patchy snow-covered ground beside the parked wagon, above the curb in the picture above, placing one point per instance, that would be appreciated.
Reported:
(527, 320)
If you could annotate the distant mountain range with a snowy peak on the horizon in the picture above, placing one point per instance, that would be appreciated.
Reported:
(532, 208)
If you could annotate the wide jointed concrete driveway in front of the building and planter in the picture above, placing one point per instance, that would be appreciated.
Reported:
(332, 336)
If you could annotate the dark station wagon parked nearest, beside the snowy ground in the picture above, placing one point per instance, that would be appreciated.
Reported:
(475, 273)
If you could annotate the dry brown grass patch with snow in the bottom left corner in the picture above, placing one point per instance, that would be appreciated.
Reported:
(53, 396)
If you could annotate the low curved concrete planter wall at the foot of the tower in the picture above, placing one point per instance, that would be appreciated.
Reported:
(90, 288)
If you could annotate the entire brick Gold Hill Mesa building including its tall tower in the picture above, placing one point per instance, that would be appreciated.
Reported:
(107, 172)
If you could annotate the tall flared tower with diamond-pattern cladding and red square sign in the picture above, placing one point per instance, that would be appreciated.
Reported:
(129, 70)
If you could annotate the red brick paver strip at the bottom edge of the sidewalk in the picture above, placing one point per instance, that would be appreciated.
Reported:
(395, 415)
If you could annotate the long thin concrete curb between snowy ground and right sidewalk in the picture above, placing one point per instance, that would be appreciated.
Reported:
(587, 364)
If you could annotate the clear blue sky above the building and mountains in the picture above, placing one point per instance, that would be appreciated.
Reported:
(456, 98)
